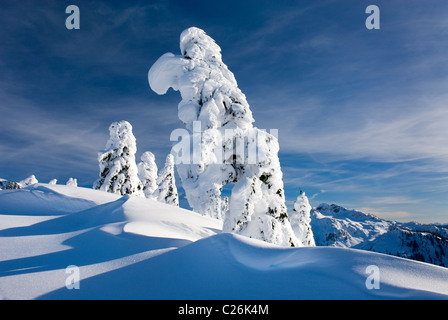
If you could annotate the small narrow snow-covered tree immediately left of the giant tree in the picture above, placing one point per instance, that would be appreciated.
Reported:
(167, 191)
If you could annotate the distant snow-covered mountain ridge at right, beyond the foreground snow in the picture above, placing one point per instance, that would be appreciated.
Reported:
(336, 226)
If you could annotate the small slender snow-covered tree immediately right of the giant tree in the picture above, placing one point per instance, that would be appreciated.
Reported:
(300, 220)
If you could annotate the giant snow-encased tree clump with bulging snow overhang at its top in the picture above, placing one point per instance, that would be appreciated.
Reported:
(225, 139)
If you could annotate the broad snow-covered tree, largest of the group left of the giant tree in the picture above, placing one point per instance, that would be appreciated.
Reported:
(118, 170)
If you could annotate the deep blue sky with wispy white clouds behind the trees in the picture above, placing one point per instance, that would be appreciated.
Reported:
(362, 114)
